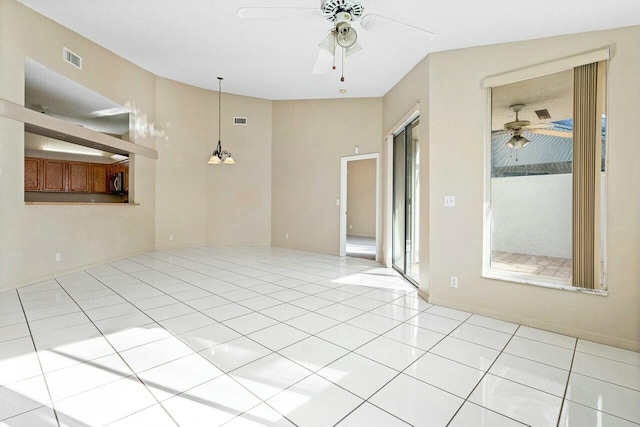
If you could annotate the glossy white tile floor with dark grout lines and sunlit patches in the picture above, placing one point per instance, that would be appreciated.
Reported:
(254, 336)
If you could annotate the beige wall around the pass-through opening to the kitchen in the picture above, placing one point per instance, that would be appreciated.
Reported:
(30, 236)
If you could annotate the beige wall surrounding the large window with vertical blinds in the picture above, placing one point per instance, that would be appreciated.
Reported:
(457, 166)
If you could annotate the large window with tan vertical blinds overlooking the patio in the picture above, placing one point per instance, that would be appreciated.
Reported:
(547, 179)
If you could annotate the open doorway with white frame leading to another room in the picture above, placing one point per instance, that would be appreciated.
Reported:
(359, 201)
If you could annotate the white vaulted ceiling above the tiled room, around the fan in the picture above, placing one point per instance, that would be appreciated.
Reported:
(197, 40)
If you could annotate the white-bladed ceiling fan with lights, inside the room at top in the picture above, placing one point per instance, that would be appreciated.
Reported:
(342, 14)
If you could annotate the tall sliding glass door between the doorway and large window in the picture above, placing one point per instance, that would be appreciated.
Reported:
(406, 201)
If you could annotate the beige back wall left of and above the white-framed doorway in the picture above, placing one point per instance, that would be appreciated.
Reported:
(309, 138)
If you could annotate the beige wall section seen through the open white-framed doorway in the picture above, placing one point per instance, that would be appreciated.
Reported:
(361, 198)
